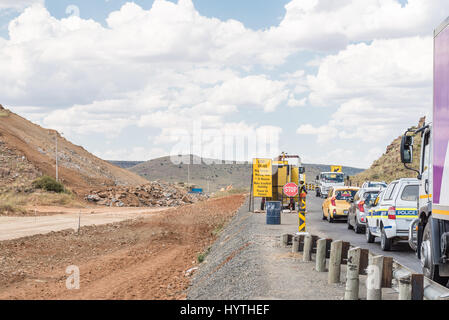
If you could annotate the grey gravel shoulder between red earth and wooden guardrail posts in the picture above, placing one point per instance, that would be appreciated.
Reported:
(247, 262)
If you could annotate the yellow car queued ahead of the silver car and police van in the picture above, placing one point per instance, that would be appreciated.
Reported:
(337, 203)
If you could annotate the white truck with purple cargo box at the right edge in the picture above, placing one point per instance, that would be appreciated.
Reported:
(431, 241)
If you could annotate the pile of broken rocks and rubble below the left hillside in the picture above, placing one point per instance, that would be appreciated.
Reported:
(153, 194)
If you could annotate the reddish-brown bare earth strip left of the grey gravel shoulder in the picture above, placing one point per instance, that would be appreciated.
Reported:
(140, 259)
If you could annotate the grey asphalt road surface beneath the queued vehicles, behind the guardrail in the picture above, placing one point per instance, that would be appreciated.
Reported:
(401, 252)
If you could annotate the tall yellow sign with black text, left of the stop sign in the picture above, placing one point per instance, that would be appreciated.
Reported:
(262, 178)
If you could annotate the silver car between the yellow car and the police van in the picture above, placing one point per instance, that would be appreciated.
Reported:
(358, 210)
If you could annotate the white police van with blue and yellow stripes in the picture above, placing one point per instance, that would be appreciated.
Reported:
(394, 211)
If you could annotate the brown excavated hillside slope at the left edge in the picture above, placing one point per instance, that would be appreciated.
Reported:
(28, 150)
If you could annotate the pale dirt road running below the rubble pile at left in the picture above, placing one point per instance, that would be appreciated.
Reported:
(17, 227)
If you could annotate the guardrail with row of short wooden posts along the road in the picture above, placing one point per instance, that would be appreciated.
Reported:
(381, 271)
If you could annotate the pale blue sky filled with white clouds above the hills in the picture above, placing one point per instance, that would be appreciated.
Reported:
(334, 82)
